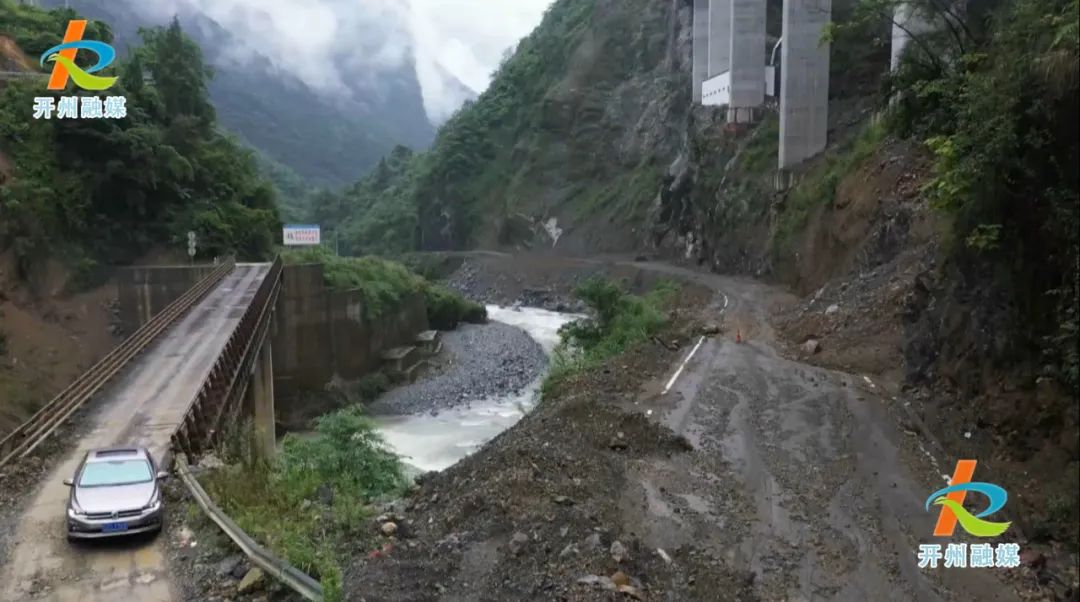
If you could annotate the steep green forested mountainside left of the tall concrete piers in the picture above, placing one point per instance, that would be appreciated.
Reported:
(526, 145)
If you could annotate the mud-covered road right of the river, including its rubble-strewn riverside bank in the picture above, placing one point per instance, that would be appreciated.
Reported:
(795, 483)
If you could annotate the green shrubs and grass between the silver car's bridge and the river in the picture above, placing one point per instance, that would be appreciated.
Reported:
(310, 504)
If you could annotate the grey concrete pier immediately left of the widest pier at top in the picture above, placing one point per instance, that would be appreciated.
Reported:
(748, 53)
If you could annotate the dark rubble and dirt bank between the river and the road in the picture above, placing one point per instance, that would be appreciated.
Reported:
(539, 514)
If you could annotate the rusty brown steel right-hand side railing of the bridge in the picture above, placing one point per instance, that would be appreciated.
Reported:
(221, 396)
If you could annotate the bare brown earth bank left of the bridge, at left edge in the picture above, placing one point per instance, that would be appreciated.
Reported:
(47, 337)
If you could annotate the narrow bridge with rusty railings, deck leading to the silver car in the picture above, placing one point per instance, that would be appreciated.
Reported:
(175, 397)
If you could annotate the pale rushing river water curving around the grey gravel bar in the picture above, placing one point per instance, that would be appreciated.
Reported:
(428, 443)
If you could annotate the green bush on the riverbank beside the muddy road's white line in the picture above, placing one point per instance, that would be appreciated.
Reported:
(622, 320)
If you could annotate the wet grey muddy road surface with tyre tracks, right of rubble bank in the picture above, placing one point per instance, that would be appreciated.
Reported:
(800, 475)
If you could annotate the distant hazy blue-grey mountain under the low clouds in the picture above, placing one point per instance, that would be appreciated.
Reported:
(326, 139)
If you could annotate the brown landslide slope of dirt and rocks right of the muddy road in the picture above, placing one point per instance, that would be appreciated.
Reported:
(884, 299)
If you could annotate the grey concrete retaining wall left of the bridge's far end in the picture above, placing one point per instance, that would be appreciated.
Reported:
(144, 291)
